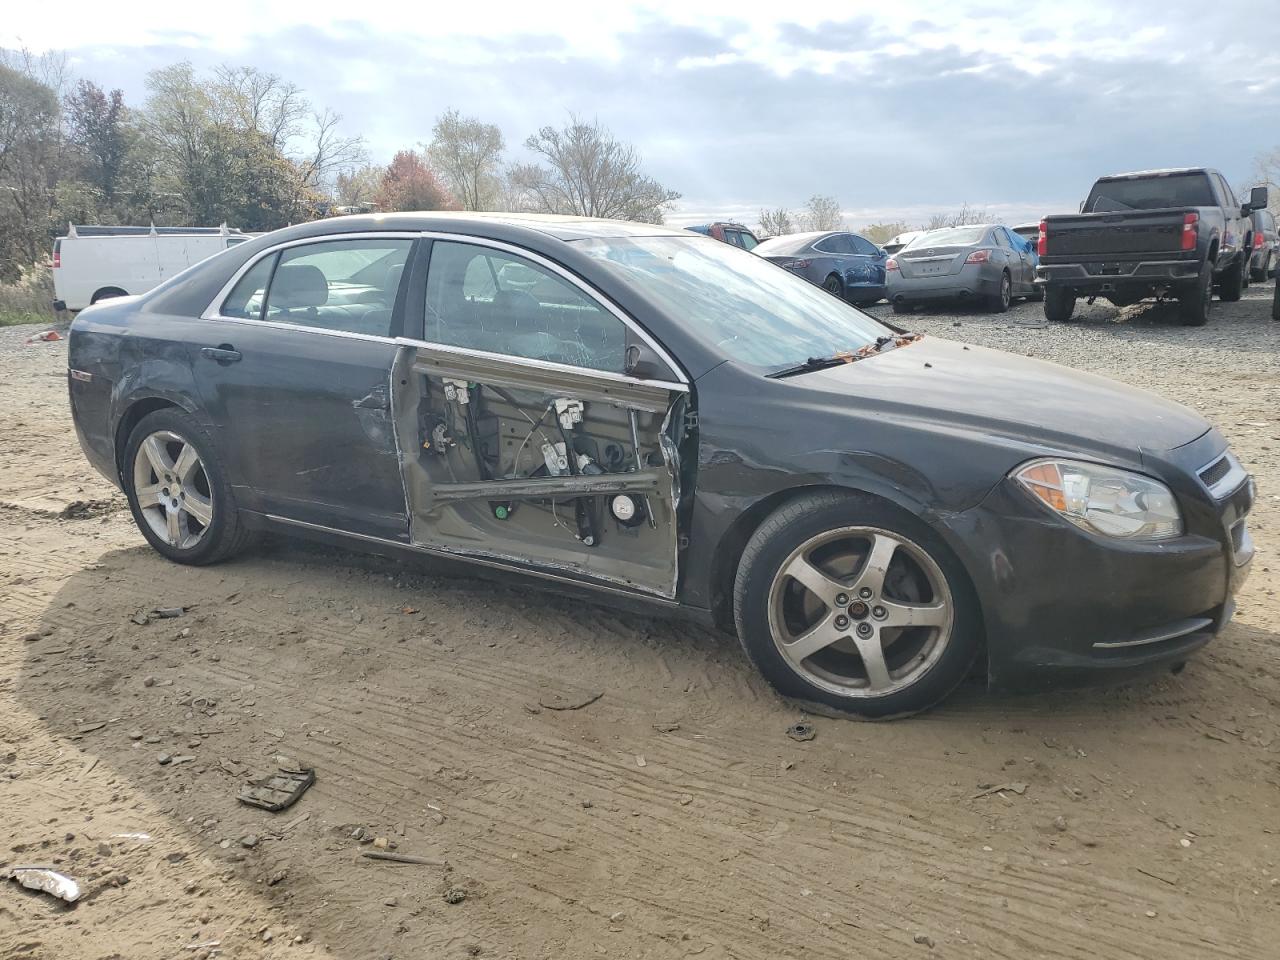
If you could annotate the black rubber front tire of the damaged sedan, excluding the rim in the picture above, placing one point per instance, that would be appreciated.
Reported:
(794, 525)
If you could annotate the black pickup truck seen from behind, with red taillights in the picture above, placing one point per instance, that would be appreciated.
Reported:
(1158, 234)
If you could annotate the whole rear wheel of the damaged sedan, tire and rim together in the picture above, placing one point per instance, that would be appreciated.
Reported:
(179, 491)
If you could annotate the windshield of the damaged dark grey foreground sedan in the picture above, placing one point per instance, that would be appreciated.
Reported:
(748, 309)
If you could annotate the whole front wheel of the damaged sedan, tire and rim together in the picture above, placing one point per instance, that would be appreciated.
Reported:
(852, 605)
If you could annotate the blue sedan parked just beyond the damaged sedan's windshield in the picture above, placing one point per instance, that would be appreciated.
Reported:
(842, 263)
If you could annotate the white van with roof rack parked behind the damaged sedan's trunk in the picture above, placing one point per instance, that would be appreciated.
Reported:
(95, 263)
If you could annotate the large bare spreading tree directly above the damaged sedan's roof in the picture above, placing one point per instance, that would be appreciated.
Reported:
(591, 173)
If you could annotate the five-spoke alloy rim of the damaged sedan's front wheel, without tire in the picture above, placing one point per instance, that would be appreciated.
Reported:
(861, 611)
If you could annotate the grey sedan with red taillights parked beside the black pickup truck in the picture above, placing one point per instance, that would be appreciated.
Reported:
(984, 264)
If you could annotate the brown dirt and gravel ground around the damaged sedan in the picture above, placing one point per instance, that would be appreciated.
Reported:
(669, 819)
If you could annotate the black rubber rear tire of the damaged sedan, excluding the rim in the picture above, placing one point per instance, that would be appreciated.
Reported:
(226, 533)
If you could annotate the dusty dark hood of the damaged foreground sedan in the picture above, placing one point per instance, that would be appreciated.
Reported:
(1008, 395)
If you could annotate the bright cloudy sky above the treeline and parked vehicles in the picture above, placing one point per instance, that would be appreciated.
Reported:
(899, 109)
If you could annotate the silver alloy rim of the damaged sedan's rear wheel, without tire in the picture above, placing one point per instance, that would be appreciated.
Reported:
(172, 490)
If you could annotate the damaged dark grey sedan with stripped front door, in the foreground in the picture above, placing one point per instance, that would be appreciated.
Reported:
(664, 419)
